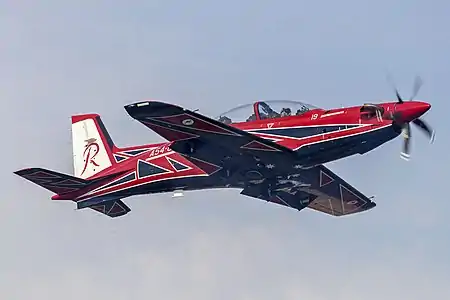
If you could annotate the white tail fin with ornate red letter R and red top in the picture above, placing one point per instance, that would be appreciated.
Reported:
(92, 146)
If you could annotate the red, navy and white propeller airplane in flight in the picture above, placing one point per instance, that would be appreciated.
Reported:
(274, 151)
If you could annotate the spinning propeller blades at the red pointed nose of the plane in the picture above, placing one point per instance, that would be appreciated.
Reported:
(405, 126)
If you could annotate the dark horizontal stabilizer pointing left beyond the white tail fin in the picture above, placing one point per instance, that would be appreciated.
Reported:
(53, 181)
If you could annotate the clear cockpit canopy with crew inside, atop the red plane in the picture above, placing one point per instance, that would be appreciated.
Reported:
(261, 110)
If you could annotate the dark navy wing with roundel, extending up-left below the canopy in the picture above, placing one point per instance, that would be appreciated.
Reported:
(207, 142)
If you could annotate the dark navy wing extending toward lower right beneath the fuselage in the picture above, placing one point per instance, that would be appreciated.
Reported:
(319, 189)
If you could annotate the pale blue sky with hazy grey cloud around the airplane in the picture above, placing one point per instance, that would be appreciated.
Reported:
(60, 58)
